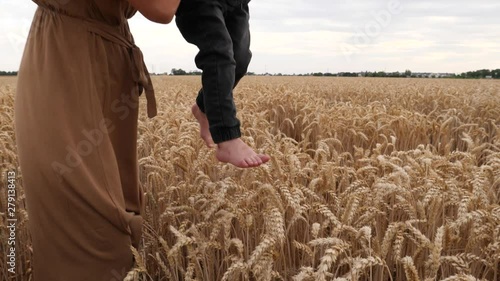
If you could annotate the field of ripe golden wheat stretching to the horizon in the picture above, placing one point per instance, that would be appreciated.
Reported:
(370, 179)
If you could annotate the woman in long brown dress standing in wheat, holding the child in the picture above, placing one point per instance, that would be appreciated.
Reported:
(76, 115)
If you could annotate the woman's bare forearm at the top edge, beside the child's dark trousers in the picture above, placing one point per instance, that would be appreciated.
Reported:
(160, 11)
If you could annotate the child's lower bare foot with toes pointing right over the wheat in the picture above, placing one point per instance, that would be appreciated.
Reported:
(238, 153)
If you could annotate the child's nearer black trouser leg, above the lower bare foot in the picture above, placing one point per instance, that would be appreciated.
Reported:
(202, 23)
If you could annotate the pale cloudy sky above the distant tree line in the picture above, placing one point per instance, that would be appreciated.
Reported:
(302, 36)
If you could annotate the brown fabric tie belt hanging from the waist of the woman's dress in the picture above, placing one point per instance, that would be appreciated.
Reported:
(140, 72)
